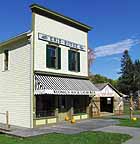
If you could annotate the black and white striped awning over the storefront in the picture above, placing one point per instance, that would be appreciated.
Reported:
(45, 84)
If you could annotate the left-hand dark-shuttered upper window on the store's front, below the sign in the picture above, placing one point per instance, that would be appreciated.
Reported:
(53, 57)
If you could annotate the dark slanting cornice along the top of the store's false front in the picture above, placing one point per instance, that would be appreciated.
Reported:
(59, 17)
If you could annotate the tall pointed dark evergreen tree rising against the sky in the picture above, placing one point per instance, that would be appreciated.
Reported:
(125, 81)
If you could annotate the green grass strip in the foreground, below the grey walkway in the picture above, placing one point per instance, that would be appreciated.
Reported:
(82, 138)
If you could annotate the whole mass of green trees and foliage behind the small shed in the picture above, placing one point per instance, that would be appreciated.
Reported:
(129, 79)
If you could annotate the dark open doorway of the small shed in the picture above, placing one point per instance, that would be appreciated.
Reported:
(106, 104)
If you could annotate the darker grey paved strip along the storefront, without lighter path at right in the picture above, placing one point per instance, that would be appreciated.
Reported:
(65, 127)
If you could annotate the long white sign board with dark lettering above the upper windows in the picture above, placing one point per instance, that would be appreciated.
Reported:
(60, 41)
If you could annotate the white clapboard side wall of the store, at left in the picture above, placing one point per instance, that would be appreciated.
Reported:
(15, 84)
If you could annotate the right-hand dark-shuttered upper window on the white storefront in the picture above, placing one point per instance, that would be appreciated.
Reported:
(74, 61)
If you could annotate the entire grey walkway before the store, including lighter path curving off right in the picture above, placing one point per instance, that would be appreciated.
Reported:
(104, 125)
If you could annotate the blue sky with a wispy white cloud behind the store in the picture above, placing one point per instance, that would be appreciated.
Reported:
(116, 26)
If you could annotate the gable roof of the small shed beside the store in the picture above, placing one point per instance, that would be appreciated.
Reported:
(101, 86)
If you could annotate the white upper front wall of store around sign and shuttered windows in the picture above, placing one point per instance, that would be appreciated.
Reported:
(57, 29)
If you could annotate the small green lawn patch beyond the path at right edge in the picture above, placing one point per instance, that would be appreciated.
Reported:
(130, 123)
